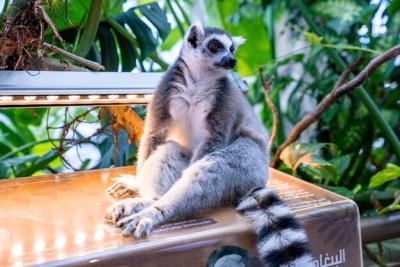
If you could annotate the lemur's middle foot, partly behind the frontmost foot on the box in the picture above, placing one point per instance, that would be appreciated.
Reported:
(124, 208)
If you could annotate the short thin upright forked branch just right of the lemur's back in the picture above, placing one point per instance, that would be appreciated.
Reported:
(275, 118)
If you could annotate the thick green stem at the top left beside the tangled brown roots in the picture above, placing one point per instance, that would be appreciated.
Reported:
(90, 30)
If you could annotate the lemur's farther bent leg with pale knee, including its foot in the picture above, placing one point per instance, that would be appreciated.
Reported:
(158, 173)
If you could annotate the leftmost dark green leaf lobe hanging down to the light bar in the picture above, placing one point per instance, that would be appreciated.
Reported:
(108, 48)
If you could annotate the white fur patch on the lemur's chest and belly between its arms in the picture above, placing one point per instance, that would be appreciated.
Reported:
(189, 107)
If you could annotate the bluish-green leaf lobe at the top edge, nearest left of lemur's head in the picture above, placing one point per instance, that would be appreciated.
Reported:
(157, 17)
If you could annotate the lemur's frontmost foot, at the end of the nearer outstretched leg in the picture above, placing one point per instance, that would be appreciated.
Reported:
(142, 223)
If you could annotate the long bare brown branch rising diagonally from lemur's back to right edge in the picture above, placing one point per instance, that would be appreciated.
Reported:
(331, 98)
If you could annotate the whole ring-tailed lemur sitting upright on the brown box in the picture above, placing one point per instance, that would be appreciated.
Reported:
(203, 147)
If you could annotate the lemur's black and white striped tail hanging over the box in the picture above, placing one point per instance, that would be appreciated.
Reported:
(281, 239)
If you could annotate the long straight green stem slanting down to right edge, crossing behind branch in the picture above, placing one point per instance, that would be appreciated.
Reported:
(384, 126)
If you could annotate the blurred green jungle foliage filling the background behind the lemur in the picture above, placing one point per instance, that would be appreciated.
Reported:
(345, 151)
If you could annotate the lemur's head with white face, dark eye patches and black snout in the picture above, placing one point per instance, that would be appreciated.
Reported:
(211, 48)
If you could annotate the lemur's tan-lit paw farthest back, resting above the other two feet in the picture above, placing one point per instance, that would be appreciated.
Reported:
(125, 187)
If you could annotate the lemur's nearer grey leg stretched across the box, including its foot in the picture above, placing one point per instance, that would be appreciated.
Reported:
(218, 178)
